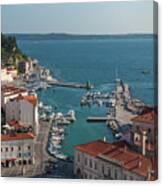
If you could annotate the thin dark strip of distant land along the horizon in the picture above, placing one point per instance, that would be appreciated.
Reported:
(67, 36)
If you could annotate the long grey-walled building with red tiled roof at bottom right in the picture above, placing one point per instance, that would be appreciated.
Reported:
(102, 160)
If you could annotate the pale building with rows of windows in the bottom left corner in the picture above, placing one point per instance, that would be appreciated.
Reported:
(17, 149)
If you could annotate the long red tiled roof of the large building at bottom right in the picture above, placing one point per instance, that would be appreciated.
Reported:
(119, 154)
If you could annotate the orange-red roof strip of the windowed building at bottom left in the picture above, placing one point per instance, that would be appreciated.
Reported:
(17, 136)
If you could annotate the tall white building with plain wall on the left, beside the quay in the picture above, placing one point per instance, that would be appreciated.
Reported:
(23, 109)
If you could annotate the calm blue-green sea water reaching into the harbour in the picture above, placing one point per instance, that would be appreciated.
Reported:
(95, 60)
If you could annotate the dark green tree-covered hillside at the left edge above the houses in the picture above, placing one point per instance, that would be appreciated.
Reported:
(10, 53)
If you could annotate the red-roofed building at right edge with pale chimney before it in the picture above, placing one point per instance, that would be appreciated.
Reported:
(143, 133)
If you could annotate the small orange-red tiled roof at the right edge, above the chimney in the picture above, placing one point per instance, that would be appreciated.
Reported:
(148, 118)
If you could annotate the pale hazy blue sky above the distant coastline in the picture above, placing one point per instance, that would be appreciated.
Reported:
(79, 18)
